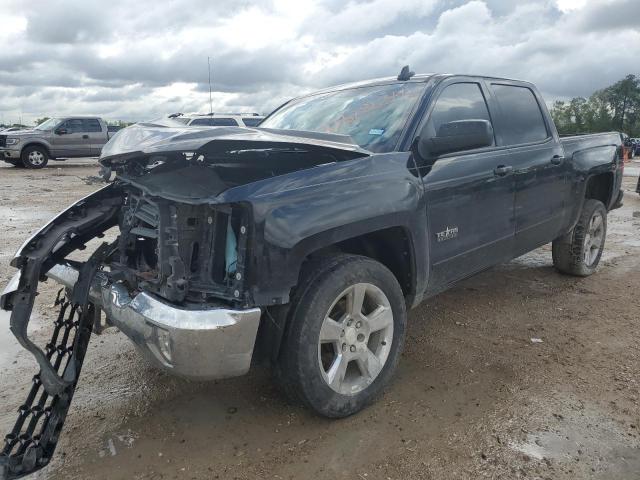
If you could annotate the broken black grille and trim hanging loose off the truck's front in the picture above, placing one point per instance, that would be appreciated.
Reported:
(32, 441)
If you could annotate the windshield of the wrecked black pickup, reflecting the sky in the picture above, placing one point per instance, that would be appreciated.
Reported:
(373, 116)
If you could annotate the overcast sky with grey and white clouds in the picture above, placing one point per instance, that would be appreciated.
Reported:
(138, 60)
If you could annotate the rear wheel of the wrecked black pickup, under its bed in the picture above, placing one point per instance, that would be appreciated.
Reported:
(578, 252)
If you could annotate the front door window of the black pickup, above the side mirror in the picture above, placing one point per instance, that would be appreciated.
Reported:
(460, 101)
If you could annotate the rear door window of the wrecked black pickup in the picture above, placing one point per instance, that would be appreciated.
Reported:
(522, 118)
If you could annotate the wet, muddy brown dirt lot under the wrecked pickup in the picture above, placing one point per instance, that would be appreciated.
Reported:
(475, 397)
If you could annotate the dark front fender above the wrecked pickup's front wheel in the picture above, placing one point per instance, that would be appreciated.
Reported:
(332, 204)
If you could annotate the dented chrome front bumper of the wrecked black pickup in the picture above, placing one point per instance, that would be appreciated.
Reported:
(201, 344)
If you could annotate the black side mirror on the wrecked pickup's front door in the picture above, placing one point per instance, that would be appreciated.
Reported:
(456, 137)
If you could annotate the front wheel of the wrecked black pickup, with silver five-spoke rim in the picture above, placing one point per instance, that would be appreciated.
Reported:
(358, 354)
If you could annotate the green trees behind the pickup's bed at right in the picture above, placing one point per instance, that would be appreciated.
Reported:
(616, 107)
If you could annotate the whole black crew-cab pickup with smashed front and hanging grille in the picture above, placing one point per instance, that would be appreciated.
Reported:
(302, 243)
